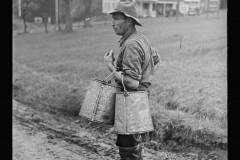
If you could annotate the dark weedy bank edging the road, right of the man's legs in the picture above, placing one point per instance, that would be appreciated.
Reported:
(172, 134)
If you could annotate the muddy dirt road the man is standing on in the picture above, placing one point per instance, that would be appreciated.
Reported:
(44, 135)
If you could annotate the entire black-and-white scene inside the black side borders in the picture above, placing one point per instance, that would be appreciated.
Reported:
(119, 80)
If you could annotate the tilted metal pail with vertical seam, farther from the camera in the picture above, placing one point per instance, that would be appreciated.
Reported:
(99, 102)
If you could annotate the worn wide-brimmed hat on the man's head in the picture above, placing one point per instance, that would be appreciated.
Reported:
(129, 8)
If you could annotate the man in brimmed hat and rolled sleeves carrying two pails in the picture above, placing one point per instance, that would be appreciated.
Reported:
(137, 63)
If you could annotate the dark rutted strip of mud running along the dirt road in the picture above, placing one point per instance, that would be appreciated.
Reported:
(78, 145)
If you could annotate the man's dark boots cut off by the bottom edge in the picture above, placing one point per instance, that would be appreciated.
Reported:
(131, 153)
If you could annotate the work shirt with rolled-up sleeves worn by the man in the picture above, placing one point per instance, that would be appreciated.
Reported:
(137, 58)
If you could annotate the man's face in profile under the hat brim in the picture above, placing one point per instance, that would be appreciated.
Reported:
(119, 24)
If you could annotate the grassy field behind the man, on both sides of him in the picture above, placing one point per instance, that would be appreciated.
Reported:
(188, 94)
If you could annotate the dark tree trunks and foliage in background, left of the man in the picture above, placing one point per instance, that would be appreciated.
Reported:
(73, 9)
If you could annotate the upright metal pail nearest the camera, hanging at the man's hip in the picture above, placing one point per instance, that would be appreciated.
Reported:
(132, 112)
